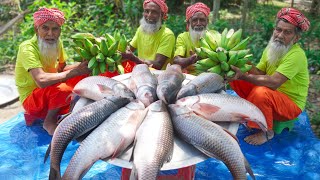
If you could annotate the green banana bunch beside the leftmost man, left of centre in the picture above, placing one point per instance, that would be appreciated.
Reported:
(103, 53)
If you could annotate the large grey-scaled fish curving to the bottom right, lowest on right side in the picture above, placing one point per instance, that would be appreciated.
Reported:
(211, 139)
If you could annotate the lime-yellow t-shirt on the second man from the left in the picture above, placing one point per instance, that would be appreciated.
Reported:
(148, 45)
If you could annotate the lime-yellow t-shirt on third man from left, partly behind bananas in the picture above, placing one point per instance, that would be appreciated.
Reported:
(183, 47)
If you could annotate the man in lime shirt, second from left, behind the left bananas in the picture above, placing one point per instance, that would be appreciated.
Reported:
(153, 40)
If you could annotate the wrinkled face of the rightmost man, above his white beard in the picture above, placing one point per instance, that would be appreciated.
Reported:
(285, 33)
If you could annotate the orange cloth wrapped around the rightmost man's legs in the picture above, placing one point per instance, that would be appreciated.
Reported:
(273, 104)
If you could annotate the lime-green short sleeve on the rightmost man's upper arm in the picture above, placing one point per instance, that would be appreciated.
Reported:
(292, 64)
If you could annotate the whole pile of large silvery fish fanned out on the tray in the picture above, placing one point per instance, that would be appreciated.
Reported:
(111, 116)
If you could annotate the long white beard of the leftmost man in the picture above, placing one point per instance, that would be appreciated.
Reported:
(49, 54)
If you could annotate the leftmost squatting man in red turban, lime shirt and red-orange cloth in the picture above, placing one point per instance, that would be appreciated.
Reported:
(43, 79)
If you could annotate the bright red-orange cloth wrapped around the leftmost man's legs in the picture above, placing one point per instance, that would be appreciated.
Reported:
(41, 100)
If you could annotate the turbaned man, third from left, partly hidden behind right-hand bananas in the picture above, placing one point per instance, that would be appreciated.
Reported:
(197, 21)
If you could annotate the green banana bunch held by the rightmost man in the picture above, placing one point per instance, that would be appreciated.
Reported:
(218, 51)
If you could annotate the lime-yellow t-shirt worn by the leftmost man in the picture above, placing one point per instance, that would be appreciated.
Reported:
(28, 58)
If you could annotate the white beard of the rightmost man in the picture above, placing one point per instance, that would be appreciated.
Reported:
(276, 50)
